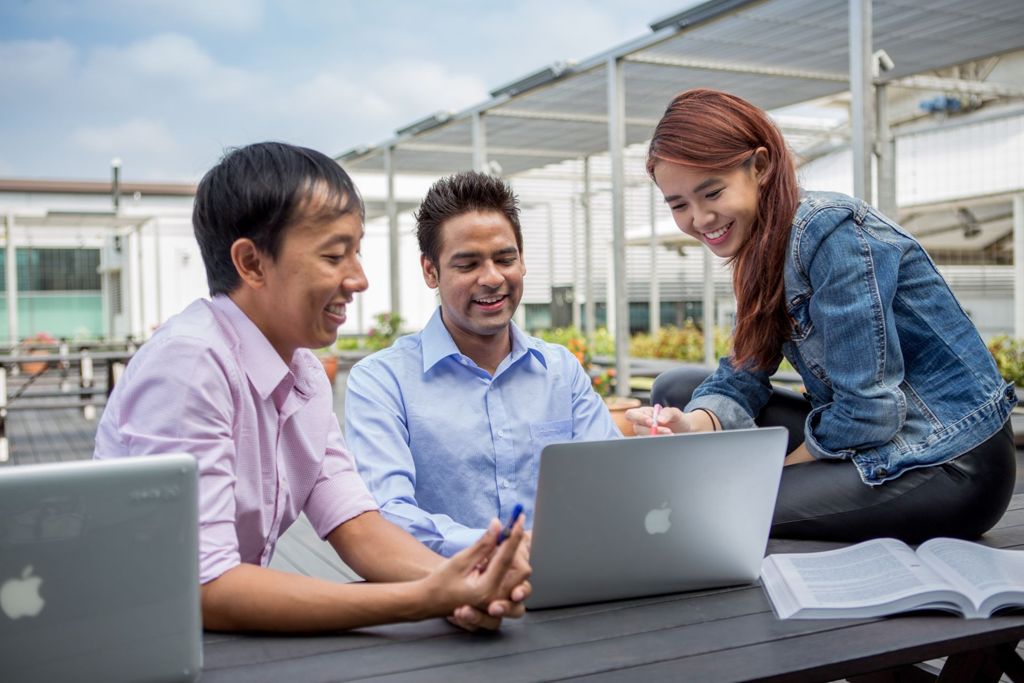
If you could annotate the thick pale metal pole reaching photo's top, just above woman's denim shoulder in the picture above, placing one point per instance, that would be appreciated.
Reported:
(862, 102)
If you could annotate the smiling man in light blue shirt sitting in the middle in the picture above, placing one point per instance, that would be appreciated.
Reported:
(448, 424)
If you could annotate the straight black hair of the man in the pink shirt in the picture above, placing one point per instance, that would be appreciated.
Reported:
(259, 192)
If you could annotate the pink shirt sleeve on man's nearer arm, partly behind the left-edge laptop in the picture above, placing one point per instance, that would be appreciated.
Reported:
(188, 411)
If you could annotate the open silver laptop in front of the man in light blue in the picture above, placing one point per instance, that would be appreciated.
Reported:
(646, 517)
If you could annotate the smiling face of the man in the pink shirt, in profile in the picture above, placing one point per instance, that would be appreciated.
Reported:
(301, 298)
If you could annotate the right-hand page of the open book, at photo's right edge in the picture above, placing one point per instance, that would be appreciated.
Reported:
(975, 570)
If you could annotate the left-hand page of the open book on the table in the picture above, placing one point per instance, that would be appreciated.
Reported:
(870, 573)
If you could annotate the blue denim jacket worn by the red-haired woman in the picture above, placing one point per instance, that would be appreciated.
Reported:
(897, 373)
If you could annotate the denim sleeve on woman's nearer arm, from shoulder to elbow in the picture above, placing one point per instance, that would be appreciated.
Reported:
(852, 309)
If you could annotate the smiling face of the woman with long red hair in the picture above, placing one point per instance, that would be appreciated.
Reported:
(719, 208)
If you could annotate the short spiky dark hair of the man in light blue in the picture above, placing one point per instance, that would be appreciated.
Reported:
(459, 194)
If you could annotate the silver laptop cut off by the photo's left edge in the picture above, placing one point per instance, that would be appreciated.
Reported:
(100, 571)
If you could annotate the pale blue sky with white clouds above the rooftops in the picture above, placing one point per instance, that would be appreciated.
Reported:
(167, 86)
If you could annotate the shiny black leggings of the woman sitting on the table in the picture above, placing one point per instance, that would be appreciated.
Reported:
(827, 500)
